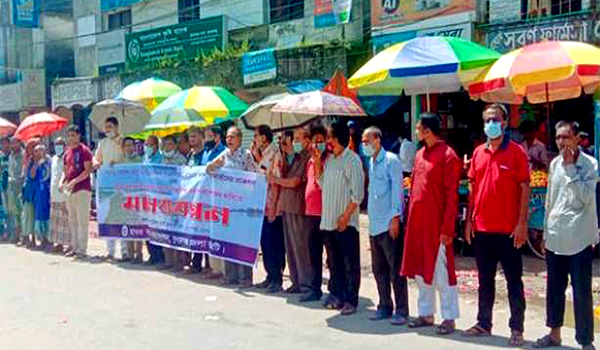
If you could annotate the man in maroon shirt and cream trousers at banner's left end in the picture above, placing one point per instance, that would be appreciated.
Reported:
(76, 184)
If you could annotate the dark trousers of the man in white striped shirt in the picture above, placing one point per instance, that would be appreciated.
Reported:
(345, 258)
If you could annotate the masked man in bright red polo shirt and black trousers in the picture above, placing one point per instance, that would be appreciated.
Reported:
(497, 221)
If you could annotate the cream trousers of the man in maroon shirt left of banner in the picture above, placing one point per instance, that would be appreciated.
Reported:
(78, 206)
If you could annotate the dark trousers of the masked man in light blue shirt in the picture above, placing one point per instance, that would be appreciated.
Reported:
(386, 258)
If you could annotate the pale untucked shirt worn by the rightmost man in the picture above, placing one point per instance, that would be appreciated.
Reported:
(571, 224)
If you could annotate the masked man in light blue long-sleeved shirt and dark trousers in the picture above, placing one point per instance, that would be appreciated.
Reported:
(385, 207)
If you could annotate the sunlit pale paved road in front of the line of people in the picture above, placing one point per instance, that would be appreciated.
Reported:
(52, 303)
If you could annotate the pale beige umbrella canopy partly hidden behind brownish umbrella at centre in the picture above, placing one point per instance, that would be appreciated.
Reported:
(261, 113)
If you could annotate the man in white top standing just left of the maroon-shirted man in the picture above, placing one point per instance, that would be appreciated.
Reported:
(60, 234)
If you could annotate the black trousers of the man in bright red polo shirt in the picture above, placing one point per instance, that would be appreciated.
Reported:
(491, 248)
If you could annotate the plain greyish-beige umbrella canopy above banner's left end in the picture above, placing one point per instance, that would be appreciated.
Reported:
(132, 115)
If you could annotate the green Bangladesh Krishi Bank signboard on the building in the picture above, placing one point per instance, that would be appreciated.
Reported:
(184, 40)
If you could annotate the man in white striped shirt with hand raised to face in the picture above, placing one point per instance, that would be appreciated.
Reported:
(342, 180)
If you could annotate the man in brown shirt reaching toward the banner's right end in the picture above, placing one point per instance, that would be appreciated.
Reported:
(296, 228)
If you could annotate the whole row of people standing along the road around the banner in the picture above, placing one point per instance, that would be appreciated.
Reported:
(316, 184)
